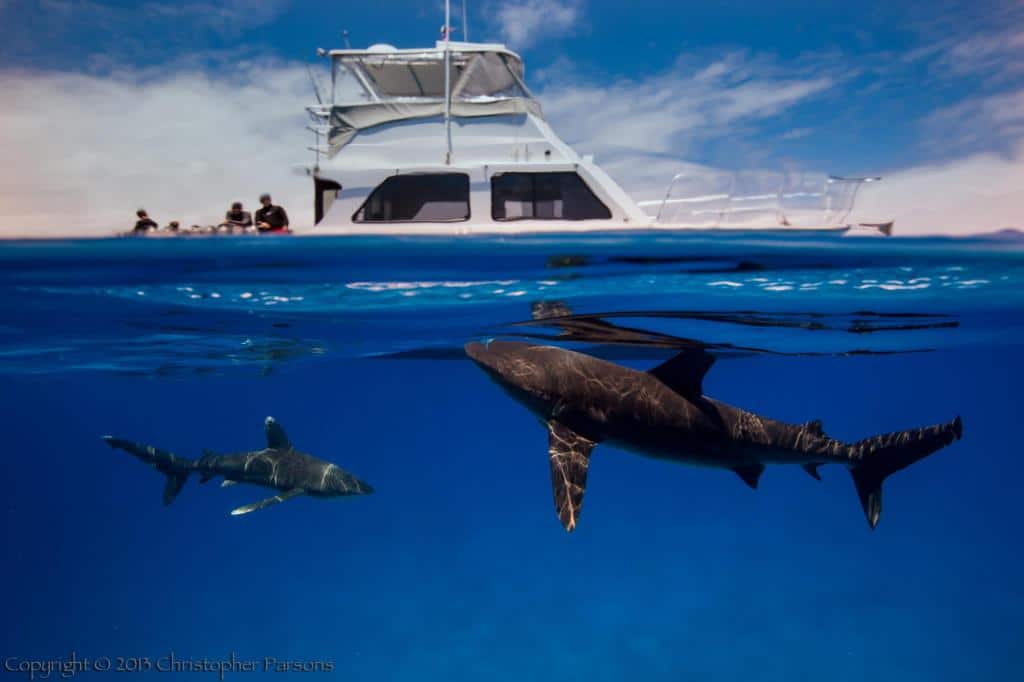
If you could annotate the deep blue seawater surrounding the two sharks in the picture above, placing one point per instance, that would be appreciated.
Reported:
(457, 567)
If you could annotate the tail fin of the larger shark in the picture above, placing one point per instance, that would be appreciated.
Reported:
(885, 455)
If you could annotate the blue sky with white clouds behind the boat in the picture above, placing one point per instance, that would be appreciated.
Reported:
(183, 107)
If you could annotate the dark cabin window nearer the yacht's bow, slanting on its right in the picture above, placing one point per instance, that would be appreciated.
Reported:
(544, 197)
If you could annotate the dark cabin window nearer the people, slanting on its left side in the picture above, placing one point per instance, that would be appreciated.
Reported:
(418, 198)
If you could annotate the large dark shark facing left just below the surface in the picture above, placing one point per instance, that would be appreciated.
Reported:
(664, 414)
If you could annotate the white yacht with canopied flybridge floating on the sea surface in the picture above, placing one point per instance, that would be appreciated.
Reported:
(450, 141)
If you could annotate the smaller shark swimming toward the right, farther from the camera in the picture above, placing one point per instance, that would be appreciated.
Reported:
(279, 466)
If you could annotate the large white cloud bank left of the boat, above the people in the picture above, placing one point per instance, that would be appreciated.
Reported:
(82, 153)
